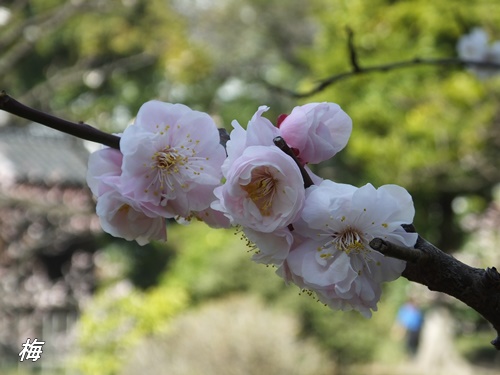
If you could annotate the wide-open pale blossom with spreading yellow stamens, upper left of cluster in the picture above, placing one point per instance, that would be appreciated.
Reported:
(171, 158)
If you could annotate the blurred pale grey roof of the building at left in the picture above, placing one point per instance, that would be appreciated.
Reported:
(36, 154)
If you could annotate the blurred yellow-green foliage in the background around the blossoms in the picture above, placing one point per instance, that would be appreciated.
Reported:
(433, 129)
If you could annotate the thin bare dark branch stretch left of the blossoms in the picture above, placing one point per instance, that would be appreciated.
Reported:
(80, 130)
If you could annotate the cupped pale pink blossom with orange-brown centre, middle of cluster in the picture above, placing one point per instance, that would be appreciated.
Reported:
(263, 190)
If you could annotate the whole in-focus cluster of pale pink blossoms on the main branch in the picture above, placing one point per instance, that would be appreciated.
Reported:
(317, 234)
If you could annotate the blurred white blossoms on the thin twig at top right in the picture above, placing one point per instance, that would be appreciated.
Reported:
(476, 47)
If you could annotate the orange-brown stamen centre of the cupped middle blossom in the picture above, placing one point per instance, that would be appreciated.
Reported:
(261, 189)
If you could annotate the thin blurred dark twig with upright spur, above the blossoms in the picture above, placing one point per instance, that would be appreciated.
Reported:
(357, 70)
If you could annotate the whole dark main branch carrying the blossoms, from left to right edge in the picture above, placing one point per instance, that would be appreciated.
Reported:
(426, 264)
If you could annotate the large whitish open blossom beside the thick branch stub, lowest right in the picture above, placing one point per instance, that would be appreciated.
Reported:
(336, 261)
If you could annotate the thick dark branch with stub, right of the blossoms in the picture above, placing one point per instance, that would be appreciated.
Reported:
(441, 272)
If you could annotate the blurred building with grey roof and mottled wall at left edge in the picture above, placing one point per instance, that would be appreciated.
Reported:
(48, 231)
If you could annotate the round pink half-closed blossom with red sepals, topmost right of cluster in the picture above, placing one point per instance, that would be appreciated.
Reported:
(317, 131)
